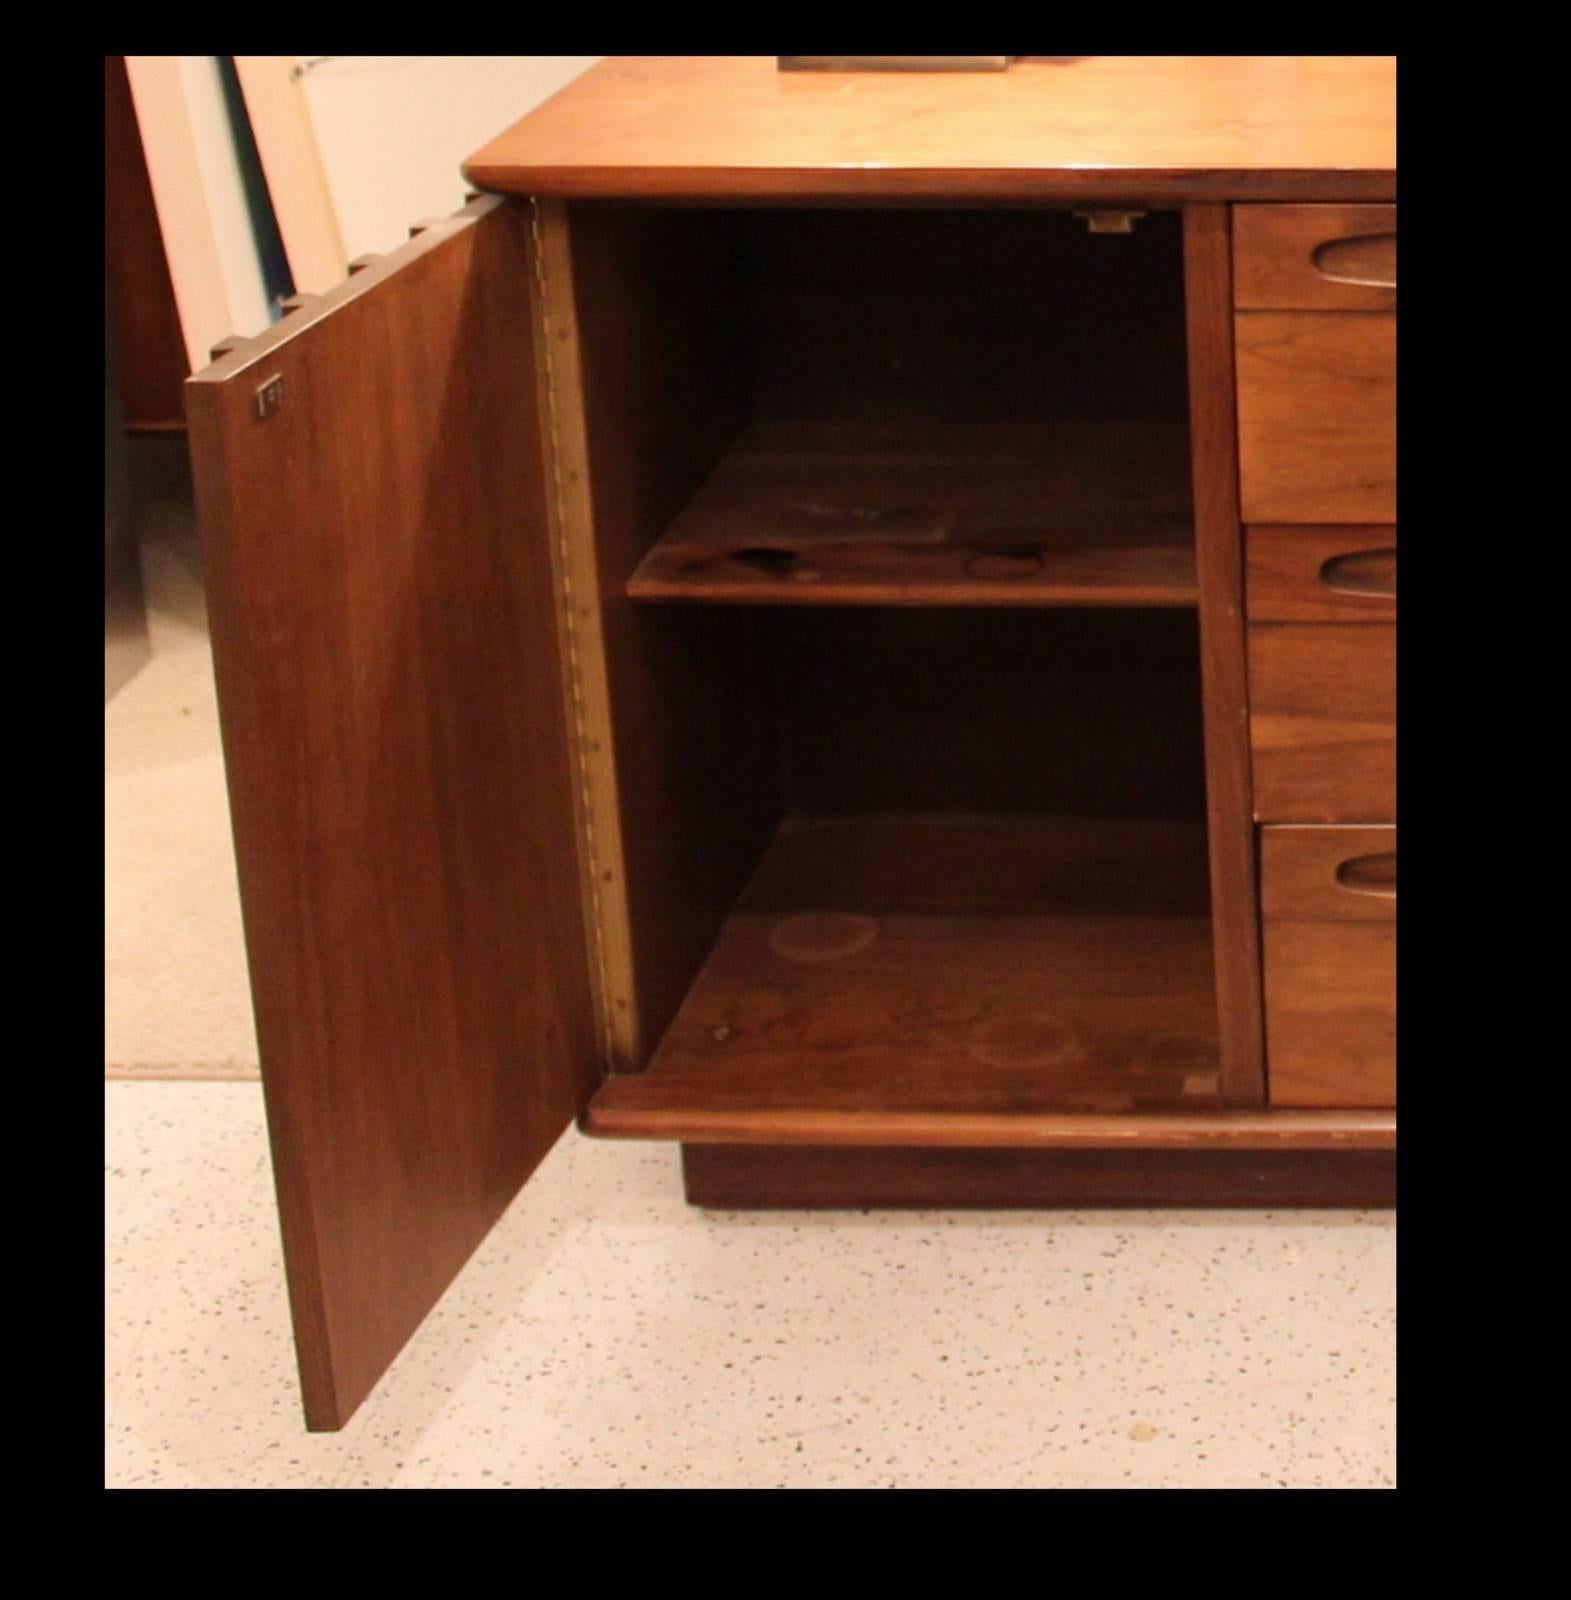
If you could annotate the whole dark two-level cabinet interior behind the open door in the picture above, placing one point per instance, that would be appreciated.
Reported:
(895, 553)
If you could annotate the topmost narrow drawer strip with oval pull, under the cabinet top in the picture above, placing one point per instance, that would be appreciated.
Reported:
(1316, 257)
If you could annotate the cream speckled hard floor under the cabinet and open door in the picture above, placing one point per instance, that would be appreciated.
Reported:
(609, 1335)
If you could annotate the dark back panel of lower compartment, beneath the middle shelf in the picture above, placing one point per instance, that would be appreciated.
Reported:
(1023, 713)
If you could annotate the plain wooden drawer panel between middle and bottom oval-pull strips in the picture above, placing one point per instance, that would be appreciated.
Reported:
(1324, 721)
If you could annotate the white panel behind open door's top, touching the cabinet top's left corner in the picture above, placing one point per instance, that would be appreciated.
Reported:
(393, 130)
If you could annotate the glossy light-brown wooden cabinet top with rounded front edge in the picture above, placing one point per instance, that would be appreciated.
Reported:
(1111, 127)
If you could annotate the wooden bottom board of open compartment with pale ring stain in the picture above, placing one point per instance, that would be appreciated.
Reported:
(956, 982)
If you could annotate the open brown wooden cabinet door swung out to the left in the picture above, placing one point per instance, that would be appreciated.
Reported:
(372, 492)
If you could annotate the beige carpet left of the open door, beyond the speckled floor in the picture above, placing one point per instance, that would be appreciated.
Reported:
(177, 998)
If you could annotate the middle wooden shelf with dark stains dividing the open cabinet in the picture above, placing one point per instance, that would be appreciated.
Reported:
(1076, 513)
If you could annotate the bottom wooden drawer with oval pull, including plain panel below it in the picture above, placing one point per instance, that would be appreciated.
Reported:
(1329, 897)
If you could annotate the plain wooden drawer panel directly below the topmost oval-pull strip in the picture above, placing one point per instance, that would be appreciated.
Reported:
(1317, 417)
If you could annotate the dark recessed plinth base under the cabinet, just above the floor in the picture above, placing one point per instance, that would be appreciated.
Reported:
(745, 1177)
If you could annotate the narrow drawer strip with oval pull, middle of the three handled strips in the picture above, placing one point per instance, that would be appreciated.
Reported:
(1322, 575)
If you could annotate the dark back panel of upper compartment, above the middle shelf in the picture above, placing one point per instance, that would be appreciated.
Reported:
(964, 316)
